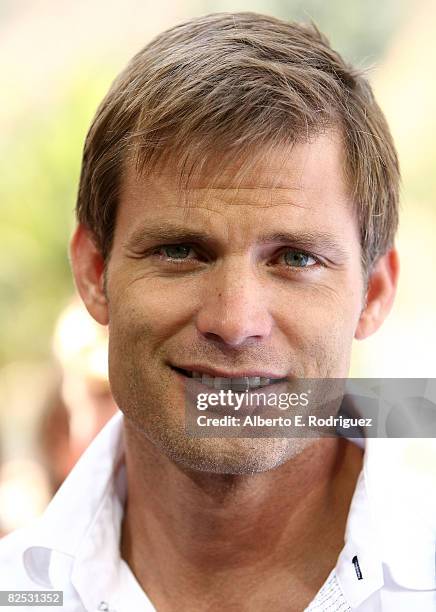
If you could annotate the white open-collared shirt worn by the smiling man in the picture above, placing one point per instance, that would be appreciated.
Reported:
(387, 563)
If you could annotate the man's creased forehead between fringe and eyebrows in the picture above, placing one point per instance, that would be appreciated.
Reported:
(303, 183)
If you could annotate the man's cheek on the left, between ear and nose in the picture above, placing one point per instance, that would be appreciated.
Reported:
(143, 318)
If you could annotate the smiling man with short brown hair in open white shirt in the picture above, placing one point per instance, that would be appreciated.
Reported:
(237, 211)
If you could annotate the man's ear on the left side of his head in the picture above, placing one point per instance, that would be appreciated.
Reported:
(88, 270)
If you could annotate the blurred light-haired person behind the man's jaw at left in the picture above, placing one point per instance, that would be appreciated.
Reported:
(84, 402)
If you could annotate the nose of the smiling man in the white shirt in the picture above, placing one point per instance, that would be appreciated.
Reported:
(235, 309)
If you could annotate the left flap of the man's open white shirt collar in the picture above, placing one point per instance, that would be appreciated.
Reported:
(82, 521)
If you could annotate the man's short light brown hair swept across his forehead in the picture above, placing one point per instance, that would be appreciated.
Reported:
(238, 83)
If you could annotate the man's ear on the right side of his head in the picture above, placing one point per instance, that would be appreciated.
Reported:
(382, 286)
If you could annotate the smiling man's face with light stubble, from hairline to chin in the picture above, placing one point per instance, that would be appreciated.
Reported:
(259, 275)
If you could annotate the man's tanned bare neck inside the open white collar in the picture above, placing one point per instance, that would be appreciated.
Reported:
(218, 537)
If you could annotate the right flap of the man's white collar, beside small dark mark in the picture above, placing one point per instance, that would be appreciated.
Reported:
(391, 526)
